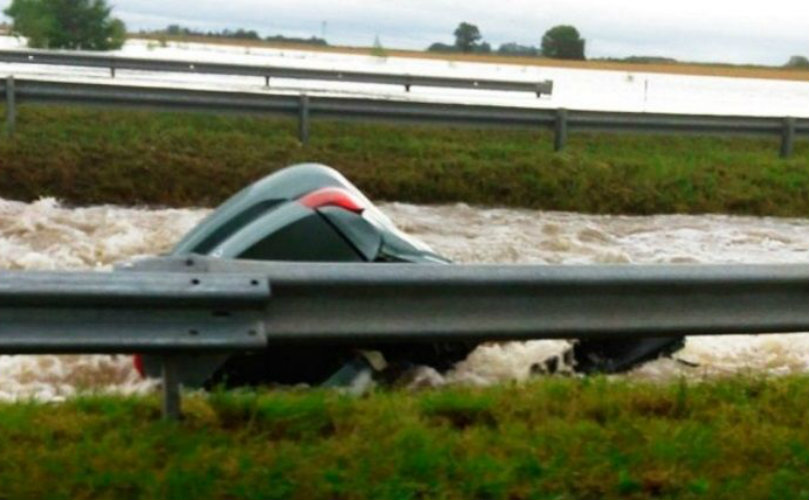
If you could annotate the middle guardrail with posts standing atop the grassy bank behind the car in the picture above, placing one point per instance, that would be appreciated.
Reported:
(305, 107)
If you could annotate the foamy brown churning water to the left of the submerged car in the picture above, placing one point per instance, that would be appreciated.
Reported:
(47, 236)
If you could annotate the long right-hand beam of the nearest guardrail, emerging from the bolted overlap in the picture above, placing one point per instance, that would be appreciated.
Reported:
(314, 302)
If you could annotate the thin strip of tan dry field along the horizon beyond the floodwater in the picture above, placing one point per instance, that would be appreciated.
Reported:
(678, 68)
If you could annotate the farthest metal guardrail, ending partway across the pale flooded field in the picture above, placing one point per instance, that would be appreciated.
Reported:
(115, 63)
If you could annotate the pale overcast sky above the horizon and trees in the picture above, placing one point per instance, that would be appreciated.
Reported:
(741, 31)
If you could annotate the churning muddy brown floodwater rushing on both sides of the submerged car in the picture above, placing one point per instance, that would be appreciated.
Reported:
(45, 235)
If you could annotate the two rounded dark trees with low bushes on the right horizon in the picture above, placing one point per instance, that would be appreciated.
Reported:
(559, 42)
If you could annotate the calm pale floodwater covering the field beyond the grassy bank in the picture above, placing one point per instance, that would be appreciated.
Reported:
(591, 89)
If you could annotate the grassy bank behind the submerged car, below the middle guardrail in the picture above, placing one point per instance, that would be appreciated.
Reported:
(95, 156)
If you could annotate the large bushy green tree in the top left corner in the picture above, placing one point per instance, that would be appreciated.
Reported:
(67, 24)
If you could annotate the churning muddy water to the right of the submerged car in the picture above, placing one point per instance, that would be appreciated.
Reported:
(468, 234)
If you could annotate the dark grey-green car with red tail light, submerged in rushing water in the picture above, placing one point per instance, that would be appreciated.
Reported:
(310, 212)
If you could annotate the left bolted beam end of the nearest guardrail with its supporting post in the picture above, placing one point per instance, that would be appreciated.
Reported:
(169, 315)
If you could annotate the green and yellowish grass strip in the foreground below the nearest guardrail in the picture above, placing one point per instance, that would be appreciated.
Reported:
(554, 438)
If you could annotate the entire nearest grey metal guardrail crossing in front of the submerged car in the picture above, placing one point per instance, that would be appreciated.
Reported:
(175, 307)
